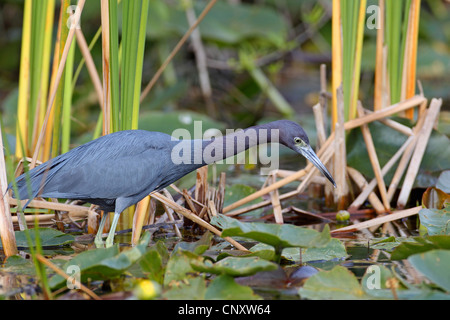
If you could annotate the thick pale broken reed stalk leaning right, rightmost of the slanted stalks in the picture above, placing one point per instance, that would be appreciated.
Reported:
(419, 151)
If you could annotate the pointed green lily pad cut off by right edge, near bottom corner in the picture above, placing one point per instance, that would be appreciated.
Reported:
(434, 265)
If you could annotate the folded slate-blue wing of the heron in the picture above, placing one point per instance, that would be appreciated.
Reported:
(117, 165)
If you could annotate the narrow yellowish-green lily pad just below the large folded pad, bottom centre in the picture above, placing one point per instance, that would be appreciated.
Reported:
(234, 266)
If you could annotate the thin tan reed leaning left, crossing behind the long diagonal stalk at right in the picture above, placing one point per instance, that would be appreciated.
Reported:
(374, 160)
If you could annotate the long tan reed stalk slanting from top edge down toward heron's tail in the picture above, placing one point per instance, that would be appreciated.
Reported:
(59, 73)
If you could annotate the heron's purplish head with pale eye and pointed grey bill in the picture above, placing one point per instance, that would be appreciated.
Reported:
(294, 137)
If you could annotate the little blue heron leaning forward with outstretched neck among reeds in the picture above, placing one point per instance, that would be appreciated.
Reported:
(118, 170)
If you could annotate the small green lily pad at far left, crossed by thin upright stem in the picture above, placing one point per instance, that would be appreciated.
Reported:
(48, 238)
